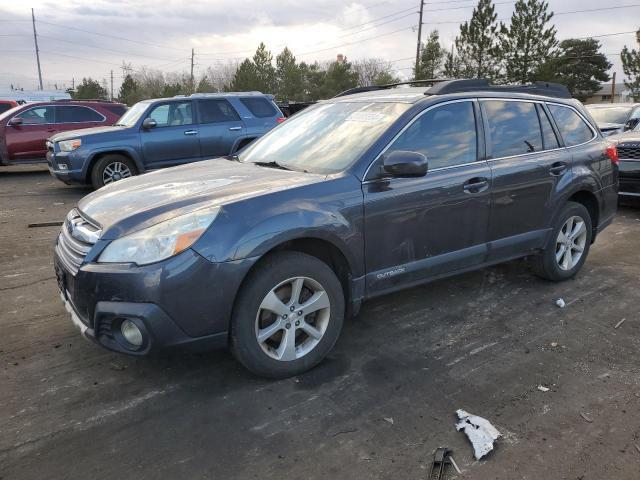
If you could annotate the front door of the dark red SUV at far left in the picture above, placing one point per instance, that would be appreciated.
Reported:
(27, 141)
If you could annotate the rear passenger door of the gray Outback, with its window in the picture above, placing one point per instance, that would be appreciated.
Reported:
(528, 168)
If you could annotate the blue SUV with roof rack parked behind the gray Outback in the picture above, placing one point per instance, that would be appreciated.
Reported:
(162, 133)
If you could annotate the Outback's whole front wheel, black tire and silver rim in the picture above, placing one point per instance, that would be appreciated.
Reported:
(272, 284)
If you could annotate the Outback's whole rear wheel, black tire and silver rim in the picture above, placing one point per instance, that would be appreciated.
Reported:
(557, 263)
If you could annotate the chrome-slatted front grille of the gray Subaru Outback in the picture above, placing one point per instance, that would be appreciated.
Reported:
(76, 238)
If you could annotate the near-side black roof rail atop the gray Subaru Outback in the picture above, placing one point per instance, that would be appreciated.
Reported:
(480, 84)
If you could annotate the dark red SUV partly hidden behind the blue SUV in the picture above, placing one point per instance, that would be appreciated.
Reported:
(24, 129)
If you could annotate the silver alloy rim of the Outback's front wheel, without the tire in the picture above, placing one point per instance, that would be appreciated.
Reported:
(292, 318)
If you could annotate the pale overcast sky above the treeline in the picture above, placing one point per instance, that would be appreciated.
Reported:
(160, 34)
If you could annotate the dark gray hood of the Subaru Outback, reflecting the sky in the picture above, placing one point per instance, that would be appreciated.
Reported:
(139, 202)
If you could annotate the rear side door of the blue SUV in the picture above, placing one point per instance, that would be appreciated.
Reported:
(220, 127)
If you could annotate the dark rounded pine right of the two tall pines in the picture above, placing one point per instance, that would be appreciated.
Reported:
(580, 65)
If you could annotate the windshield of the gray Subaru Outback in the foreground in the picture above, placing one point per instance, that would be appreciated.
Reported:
(326, 138)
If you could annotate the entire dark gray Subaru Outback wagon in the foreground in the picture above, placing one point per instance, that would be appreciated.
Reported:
(358, 196)
